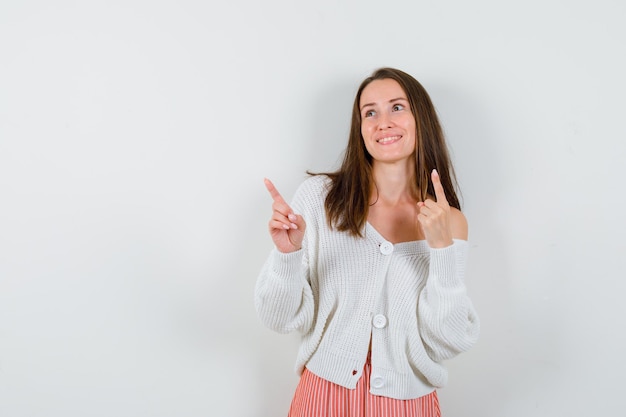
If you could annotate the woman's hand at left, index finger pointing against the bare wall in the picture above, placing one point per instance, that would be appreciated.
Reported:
(286, 227)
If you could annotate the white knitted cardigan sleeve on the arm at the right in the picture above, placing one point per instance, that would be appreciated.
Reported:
(448, 322)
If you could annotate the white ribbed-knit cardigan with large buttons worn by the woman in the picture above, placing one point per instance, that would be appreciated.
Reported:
(333, 287)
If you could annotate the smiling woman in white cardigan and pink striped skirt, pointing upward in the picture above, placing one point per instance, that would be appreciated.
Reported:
(369, 264)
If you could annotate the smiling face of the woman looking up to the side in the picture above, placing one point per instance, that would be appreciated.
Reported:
(387, 124)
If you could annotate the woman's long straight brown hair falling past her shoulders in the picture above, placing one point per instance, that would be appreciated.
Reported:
(347, 202)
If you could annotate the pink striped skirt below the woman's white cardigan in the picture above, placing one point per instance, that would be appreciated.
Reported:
(316, 397)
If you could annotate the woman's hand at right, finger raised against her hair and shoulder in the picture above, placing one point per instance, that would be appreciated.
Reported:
(434, 216)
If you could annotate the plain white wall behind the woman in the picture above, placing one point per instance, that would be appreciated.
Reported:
(134, 139)
